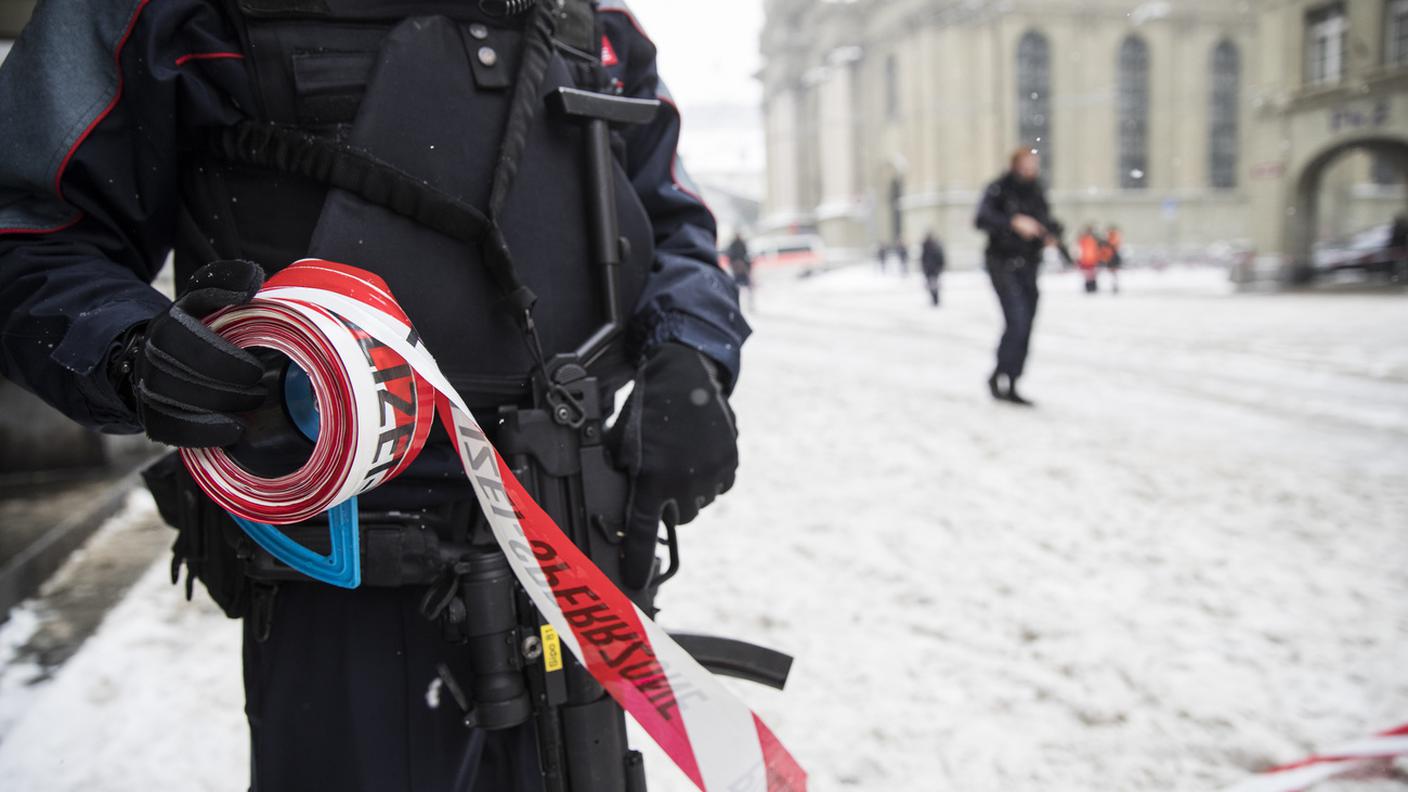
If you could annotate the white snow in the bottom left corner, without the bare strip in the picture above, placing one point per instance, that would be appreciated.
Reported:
(153, 701)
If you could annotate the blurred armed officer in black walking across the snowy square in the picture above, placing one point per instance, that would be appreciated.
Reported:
(1019, 226)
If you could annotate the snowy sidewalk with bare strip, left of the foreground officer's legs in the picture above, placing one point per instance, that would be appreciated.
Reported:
(151, 703)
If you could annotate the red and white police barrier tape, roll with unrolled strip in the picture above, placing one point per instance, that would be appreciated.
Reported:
(375, 384)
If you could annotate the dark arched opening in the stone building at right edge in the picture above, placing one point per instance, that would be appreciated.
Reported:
(1310, 206)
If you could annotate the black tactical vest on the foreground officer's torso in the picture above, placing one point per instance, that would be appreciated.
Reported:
(425, 87)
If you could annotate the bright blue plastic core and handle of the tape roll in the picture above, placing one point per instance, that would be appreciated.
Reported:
(343, 566)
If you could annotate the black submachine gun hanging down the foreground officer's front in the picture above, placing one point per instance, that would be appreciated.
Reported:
(557, 450)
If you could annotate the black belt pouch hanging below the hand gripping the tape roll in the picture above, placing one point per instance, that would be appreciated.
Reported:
(208, 542)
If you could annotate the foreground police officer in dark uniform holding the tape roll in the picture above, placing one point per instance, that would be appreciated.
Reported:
(413, 139)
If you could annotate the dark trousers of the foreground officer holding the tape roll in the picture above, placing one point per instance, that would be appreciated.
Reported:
(344, 695)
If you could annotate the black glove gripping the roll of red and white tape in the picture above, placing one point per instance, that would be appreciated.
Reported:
(182, 380)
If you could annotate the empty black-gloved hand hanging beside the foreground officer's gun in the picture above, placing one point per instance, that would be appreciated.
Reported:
(678, 440)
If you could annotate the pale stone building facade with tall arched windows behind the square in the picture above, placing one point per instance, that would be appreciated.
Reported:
(1185, 123)
